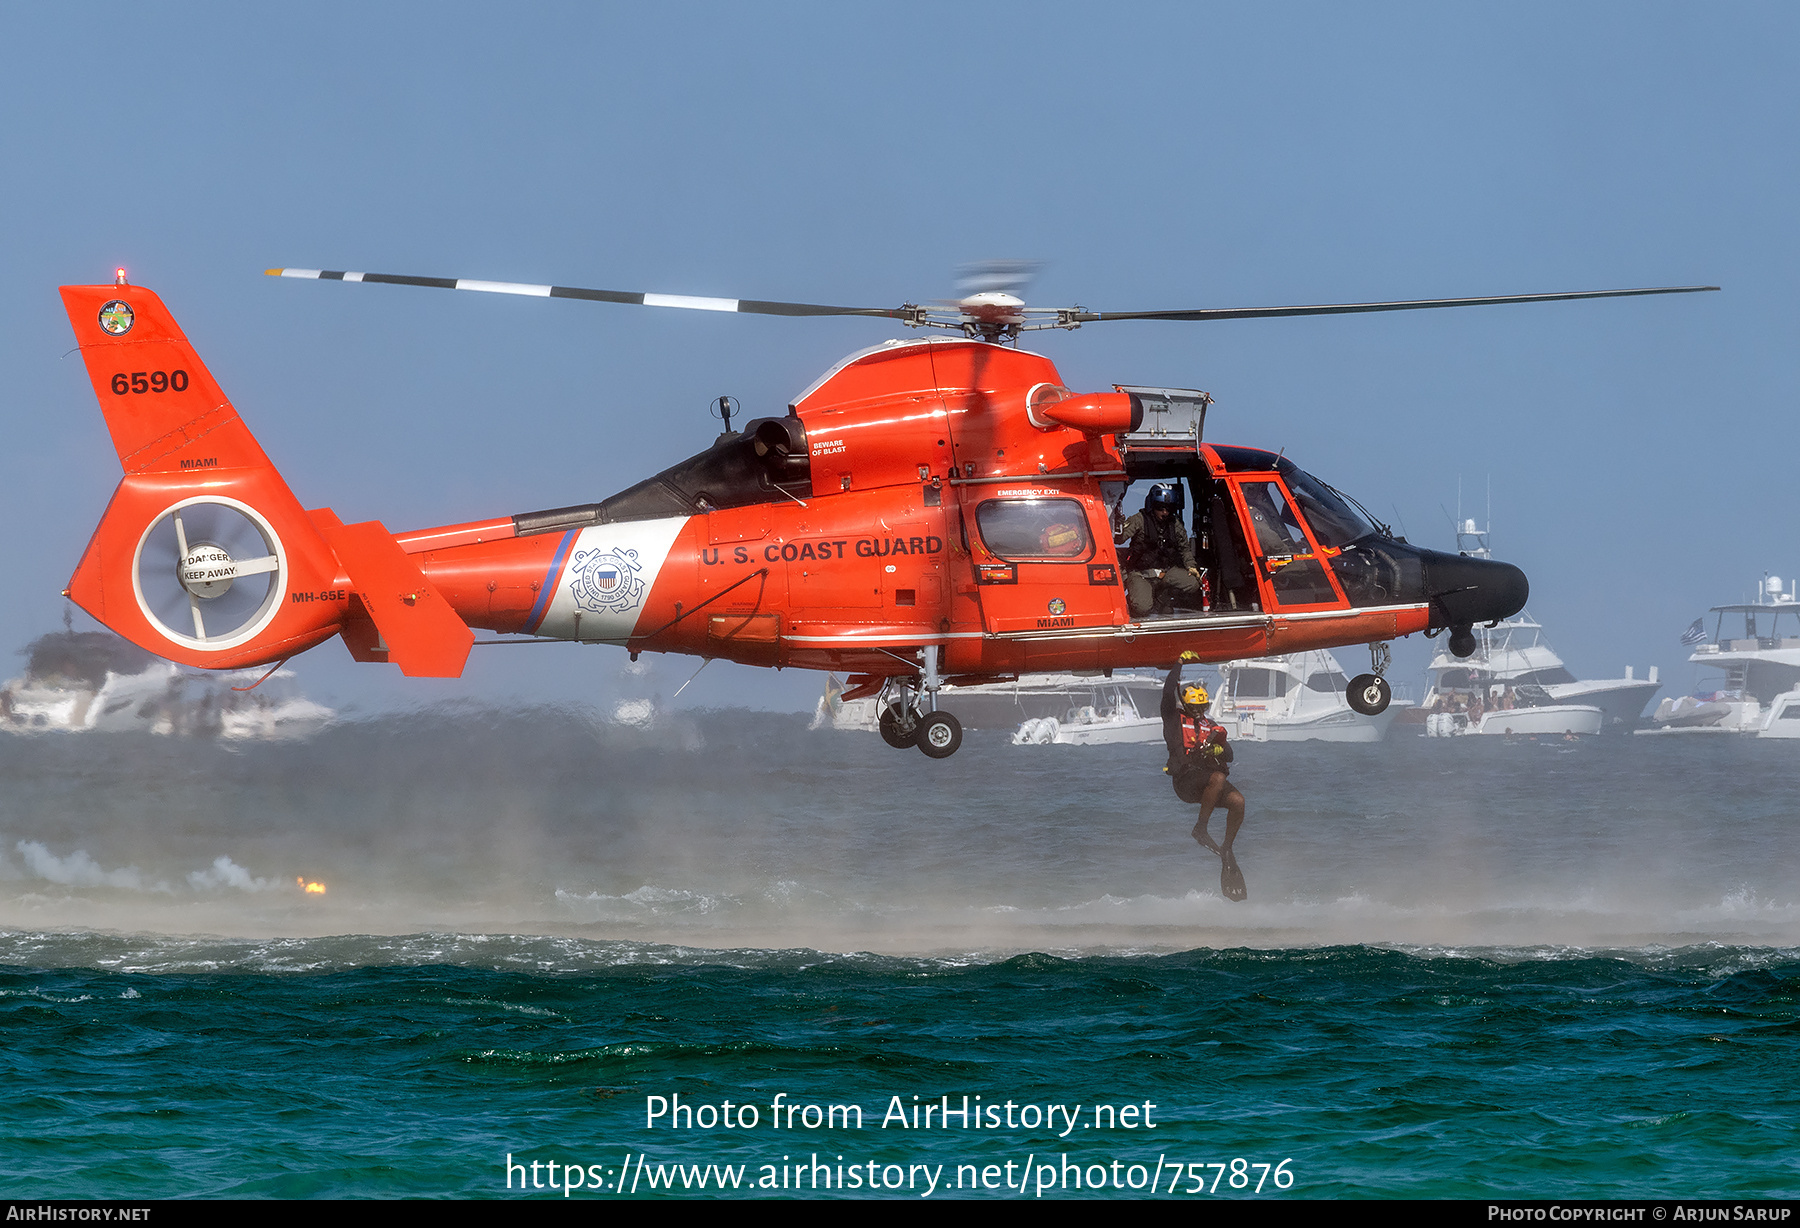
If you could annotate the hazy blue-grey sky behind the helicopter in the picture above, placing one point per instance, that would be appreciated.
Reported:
(1642, 455)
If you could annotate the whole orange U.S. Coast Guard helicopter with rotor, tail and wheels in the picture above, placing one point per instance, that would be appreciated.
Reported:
(937, 510)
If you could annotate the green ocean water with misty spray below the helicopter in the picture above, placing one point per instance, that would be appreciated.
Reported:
(1466, 970)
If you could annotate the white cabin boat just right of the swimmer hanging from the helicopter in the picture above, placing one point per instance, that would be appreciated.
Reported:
(1299, 698)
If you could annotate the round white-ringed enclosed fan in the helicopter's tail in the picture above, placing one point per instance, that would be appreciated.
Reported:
(210, 573)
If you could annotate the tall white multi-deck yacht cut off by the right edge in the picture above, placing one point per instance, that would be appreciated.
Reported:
(1761, 689)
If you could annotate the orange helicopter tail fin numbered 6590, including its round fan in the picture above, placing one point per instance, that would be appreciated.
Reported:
(204, 555)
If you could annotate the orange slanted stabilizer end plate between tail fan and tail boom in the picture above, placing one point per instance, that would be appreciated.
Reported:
(422, 633)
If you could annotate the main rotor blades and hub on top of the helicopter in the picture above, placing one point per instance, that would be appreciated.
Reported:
(991, 305)
